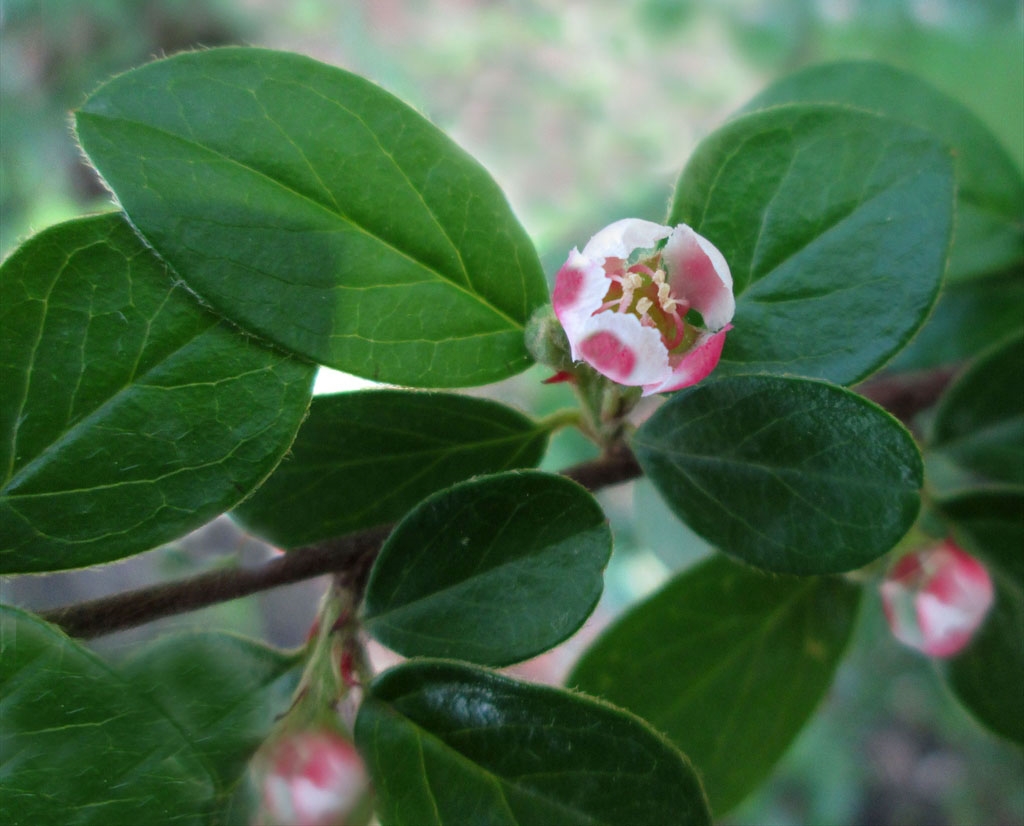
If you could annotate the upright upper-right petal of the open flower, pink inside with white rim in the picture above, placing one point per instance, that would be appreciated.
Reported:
(700, 275)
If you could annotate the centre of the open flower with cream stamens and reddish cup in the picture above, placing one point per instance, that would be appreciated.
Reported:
(644, 292)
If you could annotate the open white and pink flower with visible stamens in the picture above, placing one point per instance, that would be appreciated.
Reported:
(624, 303)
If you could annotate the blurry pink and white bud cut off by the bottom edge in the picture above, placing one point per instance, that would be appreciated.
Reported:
(313, 778)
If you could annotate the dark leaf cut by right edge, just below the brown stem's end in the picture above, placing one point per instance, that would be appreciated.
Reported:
(978, 432)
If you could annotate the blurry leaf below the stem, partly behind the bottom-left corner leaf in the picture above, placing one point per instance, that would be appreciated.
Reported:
(224, 692)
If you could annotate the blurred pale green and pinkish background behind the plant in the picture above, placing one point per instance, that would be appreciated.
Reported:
(584, 113)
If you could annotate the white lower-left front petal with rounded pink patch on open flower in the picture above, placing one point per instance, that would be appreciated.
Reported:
(620, 347)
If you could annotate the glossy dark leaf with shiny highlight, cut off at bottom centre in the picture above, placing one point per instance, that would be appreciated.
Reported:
(450, 745)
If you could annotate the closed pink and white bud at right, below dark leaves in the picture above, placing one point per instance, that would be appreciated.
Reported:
(935, 600)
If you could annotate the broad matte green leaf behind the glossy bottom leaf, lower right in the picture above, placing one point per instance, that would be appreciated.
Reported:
(729, 663)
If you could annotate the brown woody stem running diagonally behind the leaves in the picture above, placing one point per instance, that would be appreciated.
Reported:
(904, 396)
